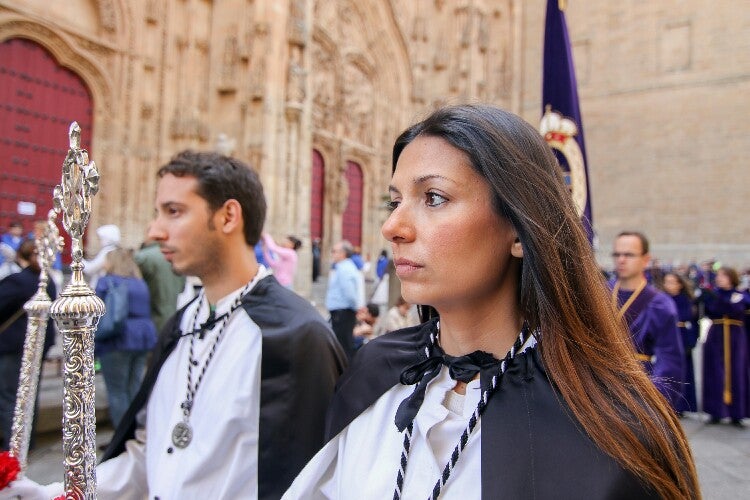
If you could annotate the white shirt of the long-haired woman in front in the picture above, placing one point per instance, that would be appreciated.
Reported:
(362, 461)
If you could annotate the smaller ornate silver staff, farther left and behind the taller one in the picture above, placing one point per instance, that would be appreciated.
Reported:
(48, 244)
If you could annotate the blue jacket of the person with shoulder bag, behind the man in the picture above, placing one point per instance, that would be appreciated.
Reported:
(140, 332)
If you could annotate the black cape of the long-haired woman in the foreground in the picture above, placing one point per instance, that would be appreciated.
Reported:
(532, 446)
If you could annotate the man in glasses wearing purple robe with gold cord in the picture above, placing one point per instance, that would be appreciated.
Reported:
(650, 314)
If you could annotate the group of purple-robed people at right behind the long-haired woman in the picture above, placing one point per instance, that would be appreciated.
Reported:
(663, 307)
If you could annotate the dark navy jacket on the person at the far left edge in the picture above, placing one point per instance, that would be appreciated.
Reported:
(15, 290)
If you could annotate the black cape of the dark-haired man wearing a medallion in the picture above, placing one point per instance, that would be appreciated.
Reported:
(300, 363)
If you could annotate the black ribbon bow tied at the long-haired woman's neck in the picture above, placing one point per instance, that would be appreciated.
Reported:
(462, 368)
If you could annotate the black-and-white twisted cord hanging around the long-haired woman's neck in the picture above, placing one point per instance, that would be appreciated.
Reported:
(463, 441)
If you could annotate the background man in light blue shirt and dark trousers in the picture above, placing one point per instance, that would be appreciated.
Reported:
(343, 296)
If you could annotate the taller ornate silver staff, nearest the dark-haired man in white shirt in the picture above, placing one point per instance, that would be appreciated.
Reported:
(77, 312)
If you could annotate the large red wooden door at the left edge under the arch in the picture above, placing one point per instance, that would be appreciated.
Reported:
(38, 101)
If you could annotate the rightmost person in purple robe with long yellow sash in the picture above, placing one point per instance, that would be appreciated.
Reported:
(725, 353)
